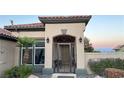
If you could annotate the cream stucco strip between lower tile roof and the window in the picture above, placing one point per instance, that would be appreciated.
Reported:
(33, 34)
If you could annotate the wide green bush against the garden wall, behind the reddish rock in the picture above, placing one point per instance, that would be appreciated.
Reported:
(99, 66)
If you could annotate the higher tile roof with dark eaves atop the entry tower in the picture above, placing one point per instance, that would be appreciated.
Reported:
(65, 19)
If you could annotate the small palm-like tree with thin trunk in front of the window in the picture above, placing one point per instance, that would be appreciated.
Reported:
(25, 42)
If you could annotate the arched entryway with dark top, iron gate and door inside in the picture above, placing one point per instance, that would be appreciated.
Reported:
(64, 57)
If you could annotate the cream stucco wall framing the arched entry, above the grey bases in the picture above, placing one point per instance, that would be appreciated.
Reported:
(73, 29)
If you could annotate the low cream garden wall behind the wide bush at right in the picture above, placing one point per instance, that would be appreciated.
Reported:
(97, 56)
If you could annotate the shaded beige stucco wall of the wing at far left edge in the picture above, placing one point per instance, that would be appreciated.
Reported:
(7, 55)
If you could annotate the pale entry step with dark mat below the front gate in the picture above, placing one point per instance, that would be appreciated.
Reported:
(63, 75)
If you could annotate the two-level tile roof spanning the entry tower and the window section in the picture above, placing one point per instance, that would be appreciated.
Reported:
(50, 19)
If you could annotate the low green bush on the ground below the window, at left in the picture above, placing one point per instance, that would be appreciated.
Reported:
(18, 72)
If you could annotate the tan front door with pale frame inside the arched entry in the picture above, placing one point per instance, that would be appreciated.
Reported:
(64, 63)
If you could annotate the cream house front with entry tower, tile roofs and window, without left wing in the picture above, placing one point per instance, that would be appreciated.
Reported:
(59, 47)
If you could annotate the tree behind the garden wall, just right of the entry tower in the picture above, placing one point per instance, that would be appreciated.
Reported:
(87, 45)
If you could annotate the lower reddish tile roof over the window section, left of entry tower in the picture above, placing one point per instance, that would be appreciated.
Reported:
(21, 26)
